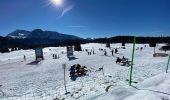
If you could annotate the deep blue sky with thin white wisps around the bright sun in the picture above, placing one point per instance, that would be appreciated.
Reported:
(88, 18)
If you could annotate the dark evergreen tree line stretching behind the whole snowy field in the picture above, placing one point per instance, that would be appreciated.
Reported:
(17, 44)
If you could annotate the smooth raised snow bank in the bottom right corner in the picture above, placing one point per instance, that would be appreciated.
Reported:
(154, 88)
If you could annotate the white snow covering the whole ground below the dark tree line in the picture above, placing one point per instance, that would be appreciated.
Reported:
(21, 81)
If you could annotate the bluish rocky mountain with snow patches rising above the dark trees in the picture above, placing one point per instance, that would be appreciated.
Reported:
(40, 34)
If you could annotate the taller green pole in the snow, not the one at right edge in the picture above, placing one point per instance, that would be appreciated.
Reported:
(131, 68)
